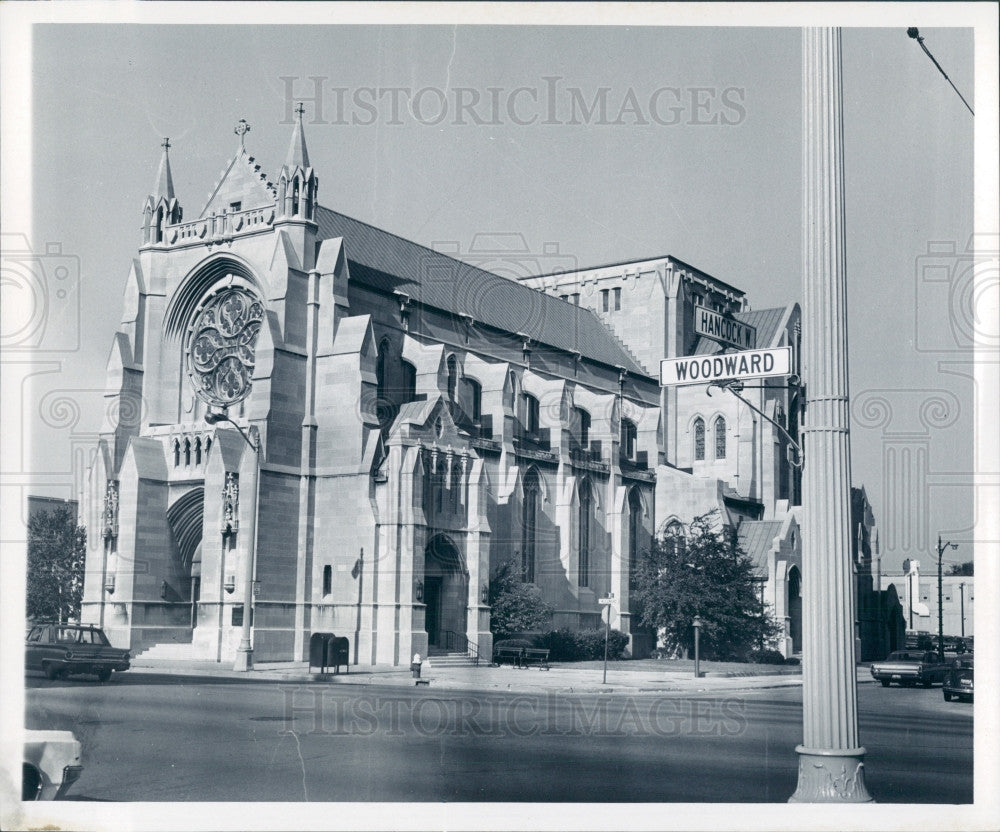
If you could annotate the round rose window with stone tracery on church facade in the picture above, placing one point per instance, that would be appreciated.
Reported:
(221, 346)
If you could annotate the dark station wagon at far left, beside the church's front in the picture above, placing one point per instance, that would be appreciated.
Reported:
(61, 649)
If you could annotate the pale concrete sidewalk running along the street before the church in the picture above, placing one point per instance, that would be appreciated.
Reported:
(560, 678)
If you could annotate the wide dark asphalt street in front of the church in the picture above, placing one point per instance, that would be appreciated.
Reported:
(160, 738)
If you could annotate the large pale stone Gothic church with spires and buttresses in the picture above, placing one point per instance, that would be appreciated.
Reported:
(334, 429)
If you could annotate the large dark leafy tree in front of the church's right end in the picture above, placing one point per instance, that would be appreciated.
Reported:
(703, 572)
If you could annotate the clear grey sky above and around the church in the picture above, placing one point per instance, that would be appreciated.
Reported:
(698, 155)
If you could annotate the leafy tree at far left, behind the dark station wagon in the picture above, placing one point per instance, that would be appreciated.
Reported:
(56, 550)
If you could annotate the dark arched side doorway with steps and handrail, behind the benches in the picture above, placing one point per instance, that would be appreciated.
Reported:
(446, 590)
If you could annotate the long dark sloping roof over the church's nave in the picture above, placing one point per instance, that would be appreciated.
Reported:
(390, 263)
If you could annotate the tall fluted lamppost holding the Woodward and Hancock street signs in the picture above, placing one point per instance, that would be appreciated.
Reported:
(830, 757)
